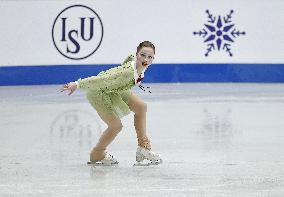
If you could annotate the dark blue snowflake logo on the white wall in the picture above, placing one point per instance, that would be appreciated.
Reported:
(219, 33)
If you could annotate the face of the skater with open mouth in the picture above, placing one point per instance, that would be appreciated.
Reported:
(145, 57)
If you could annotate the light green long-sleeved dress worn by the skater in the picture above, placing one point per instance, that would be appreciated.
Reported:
(109, 91)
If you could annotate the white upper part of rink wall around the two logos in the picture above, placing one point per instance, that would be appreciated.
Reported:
(27, 25)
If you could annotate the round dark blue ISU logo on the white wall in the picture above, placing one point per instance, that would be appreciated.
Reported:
(77, 32)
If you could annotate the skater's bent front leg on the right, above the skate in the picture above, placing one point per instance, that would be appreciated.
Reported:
(140, 109)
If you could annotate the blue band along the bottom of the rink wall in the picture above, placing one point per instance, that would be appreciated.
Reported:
(157, 73)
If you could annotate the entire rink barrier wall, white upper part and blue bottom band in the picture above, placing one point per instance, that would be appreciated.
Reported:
(196, 40)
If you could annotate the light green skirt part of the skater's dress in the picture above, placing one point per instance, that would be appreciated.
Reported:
(110, 103)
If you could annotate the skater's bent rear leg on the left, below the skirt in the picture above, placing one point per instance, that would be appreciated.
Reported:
(114, 127)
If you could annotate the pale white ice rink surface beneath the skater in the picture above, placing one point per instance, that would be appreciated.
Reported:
(221, 140)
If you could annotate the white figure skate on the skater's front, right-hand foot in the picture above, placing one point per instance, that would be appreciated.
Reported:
(145, 154)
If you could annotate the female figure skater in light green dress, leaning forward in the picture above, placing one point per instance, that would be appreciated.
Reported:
(110, 94)
